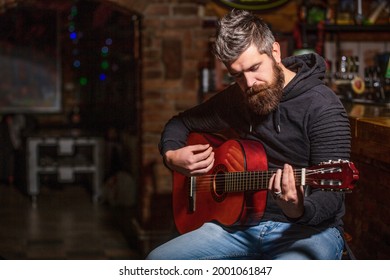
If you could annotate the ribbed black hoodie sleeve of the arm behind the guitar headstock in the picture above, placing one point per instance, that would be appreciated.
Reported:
(330, 139)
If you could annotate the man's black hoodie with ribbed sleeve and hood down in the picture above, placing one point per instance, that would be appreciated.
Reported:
(309, 126)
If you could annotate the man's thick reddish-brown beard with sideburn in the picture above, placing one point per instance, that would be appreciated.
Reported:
(263, 99)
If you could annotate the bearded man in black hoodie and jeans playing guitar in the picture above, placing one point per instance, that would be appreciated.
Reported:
(284, 105)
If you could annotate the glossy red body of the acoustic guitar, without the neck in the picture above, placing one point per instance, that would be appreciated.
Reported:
(200, 199)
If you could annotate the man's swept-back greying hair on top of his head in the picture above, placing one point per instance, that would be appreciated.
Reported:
(236, 31)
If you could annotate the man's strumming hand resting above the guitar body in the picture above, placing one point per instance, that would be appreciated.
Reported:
(192, 160)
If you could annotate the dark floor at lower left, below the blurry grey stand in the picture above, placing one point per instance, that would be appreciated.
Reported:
(64, 224)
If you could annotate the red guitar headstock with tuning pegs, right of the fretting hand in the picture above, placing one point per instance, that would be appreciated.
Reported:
(340, 175)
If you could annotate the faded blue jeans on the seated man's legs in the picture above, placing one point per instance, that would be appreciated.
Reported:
(268, 240)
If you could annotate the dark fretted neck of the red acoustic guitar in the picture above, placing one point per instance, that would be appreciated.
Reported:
(253, 180)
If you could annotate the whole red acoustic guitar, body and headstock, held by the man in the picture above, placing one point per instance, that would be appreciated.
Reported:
(231, 192)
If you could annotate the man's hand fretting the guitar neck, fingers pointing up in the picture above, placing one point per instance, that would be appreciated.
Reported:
(287, 195)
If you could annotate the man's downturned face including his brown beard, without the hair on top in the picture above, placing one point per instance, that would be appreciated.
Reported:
(260, 79)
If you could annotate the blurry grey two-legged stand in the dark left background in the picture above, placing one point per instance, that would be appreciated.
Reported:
(66, 158)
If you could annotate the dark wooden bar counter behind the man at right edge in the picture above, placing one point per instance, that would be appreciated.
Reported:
(367, 220)
